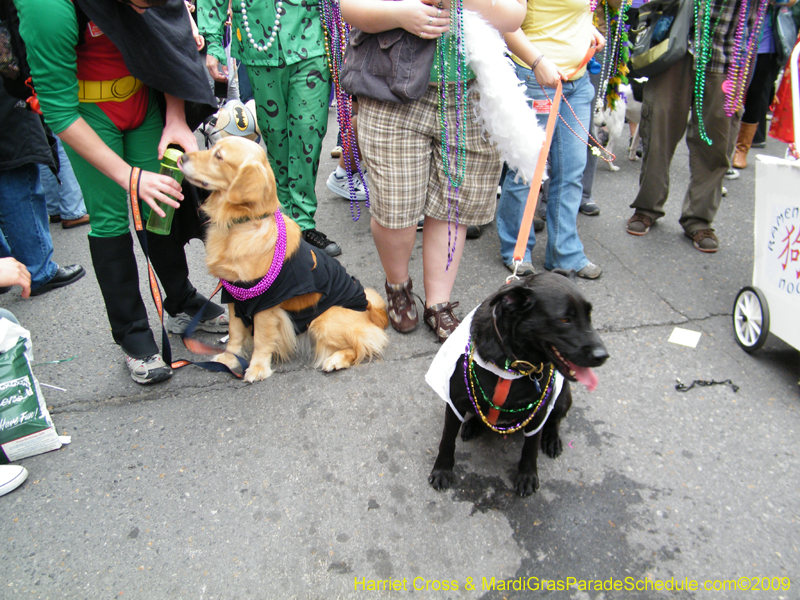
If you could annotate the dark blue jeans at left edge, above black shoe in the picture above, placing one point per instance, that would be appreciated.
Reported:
(24, 231)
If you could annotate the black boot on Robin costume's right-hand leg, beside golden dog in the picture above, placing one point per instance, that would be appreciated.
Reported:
(169, 262)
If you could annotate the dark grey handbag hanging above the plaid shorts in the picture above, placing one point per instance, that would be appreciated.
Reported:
(392, 66)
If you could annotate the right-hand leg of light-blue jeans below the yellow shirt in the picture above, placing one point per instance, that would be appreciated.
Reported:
(567, 163)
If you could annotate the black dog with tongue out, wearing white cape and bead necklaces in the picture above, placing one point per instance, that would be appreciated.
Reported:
(533, 328)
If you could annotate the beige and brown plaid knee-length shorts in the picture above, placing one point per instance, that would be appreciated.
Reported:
(401, 146)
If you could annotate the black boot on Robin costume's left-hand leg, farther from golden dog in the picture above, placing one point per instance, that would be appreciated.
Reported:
(118, 277)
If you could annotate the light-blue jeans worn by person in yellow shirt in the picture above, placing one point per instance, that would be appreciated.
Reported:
(567, 161)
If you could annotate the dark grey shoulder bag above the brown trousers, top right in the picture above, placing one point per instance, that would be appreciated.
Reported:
(662, 37)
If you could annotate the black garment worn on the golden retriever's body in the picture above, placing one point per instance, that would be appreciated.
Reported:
(307, 271)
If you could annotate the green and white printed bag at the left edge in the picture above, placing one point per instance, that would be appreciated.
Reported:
(26, 428)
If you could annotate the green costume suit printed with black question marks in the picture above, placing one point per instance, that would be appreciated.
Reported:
(291, 84)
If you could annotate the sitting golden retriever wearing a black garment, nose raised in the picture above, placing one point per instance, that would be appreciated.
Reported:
(312, 290)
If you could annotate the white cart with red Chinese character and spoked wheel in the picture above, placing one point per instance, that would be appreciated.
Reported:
(772, 303)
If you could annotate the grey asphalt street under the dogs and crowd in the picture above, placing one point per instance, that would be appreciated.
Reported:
(314, 486)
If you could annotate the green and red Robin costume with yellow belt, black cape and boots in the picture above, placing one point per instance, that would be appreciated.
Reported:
(109, 80)
